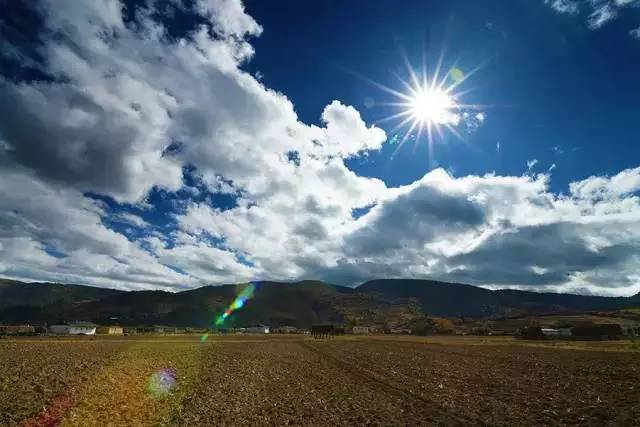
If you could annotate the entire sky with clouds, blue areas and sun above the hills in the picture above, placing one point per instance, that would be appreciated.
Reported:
(175, 144)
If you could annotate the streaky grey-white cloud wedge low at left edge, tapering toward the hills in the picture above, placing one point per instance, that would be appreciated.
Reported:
(35, 216)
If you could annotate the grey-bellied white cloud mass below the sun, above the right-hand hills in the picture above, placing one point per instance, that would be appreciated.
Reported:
(505, 232)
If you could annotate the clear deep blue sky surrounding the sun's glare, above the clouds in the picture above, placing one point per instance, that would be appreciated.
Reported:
(549, 80)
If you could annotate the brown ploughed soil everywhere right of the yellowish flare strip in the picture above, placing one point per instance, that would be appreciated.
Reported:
(407, 382)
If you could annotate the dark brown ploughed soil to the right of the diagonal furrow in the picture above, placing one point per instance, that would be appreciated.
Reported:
(507, 385)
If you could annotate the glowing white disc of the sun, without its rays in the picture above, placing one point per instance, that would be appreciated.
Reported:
(432, 106)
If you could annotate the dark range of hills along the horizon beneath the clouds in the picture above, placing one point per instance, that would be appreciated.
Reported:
(299, 304)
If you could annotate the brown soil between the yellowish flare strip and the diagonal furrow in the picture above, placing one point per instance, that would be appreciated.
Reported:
(290, 382)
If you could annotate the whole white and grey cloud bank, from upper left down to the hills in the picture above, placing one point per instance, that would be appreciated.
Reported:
(124, 115)
